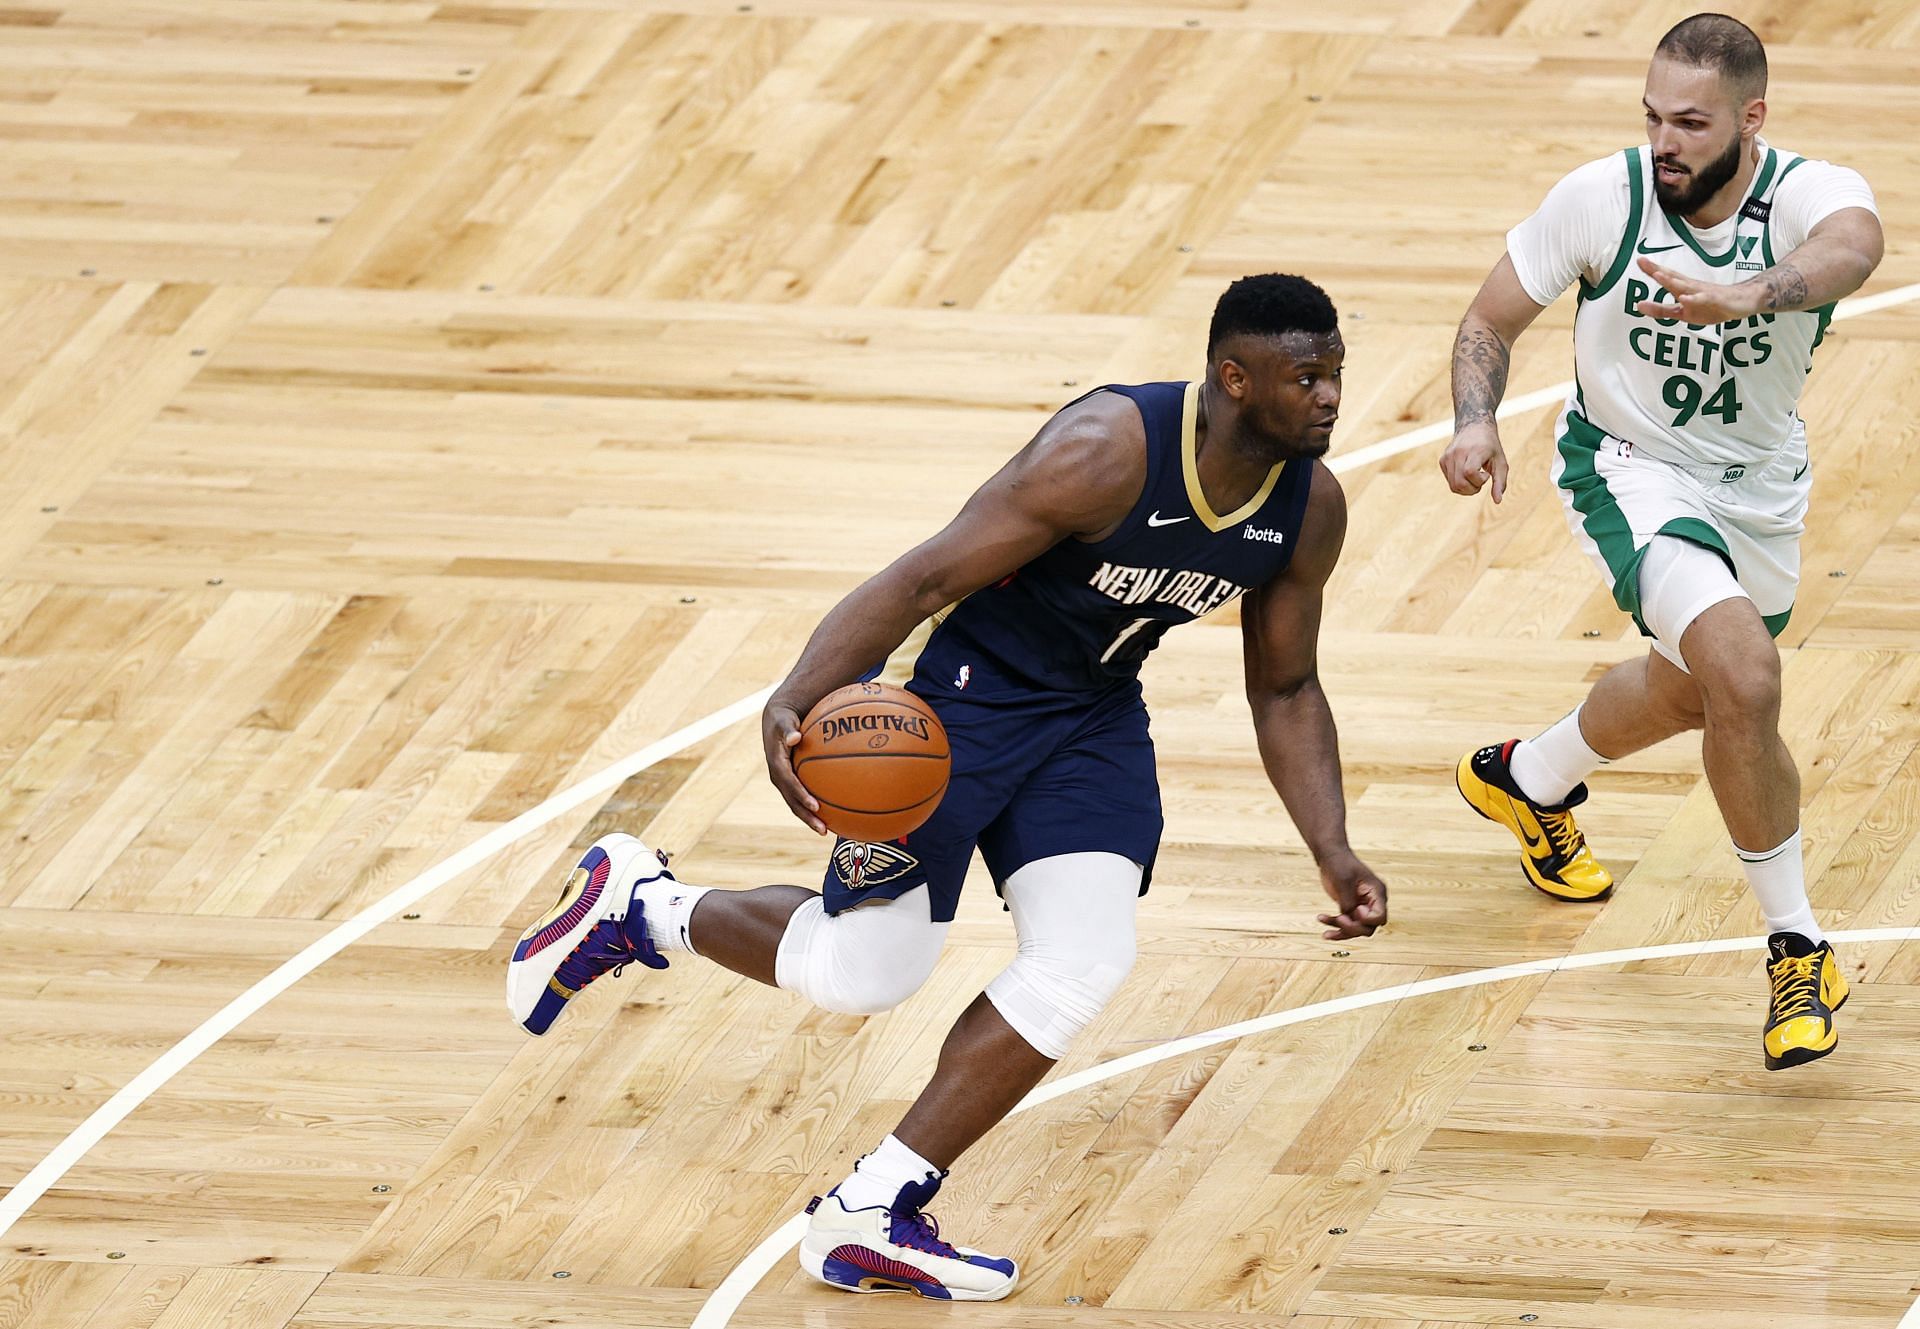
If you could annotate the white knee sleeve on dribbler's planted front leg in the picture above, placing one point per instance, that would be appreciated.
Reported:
(1074, 915)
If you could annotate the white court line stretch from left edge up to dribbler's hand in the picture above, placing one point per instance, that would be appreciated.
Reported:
(224, 1023)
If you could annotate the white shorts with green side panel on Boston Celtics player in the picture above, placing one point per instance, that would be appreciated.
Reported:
(1620, 500)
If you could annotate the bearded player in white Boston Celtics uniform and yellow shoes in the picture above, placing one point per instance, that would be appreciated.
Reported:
(1708, 268)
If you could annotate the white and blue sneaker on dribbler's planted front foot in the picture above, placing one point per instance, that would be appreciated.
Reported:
(898, 1251)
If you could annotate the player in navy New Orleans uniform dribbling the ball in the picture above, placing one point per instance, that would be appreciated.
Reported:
(1134, 510)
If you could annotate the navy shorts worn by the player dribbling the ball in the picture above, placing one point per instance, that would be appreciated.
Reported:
(1034, 775)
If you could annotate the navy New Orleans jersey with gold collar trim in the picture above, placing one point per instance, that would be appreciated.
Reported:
(1086, 616)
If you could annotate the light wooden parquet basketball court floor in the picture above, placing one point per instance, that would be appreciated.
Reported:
(412, 410)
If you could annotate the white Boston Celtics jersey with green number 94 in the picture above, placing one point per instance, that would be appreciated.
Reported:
(1698, 395)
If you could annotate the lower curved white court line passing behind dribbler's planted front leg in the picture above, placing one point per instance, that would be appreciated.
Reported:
(719, 1309)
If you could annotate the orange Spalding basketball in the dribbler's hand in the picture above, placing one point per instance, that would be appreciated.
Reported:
(876, 760)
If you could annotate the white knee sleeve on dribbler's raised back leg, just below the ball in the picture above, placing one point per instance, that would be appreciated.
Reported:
(865, 961)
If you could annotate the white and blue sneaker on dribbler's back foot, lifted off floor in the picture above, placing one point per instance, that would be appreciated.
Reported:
(596, 929)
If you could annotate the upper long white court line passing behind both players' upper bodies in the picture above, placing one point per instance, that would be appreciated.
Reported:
(43, 1176)
